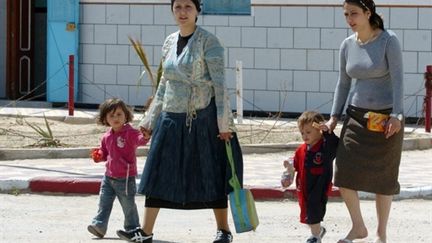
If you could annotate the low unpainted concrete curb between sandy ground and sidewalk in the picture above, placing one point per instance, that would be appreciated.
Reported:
(54, 153)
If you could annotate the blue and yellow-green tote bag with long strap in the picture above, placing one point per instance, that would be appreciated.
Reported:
(242, 203)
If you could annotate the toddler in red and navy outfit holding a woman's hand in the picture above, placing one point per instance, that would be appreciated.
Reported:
(313, 164)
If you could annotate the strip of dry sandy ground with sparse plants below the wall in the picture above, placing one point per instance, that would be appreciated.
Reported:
(26, 132)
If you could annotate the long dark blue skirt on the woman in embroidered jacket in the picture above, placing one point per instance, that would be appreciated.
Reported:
(188, 169)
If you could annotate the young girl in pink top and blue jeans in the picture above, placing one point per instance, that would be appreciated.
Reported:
(118, 149)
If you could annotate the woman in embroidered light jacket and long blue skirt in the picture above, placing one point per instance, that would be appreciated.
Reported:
(189, 120)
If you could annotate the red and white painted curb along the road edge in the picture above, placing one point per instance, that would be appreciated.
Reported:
(92, 186)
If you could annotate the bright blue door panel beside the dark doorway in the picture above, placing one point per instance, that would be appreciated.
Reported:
(62, 41)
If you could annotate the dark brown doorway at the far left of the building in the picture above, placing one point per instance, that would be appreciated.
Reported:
(26, 49)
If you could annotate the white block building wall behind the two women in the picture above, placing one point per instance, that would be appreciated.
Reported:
(289, 50)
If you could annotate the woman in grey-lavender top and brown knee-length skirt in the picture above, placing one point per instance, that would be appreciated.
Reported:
(368, 157)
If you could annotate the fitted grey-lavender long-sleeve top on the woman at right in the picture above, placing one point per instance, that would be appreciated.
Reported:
(378, 71)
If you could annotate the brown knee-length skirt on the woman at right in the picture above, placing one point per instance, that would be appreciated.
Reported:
(366, 160)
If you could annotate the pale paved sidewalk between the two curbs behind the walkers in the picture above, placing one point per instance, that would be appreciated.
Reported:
(261, 170)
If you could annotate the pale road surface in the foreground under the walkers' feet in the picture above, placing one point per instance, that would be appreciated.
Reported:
(58, 218)
